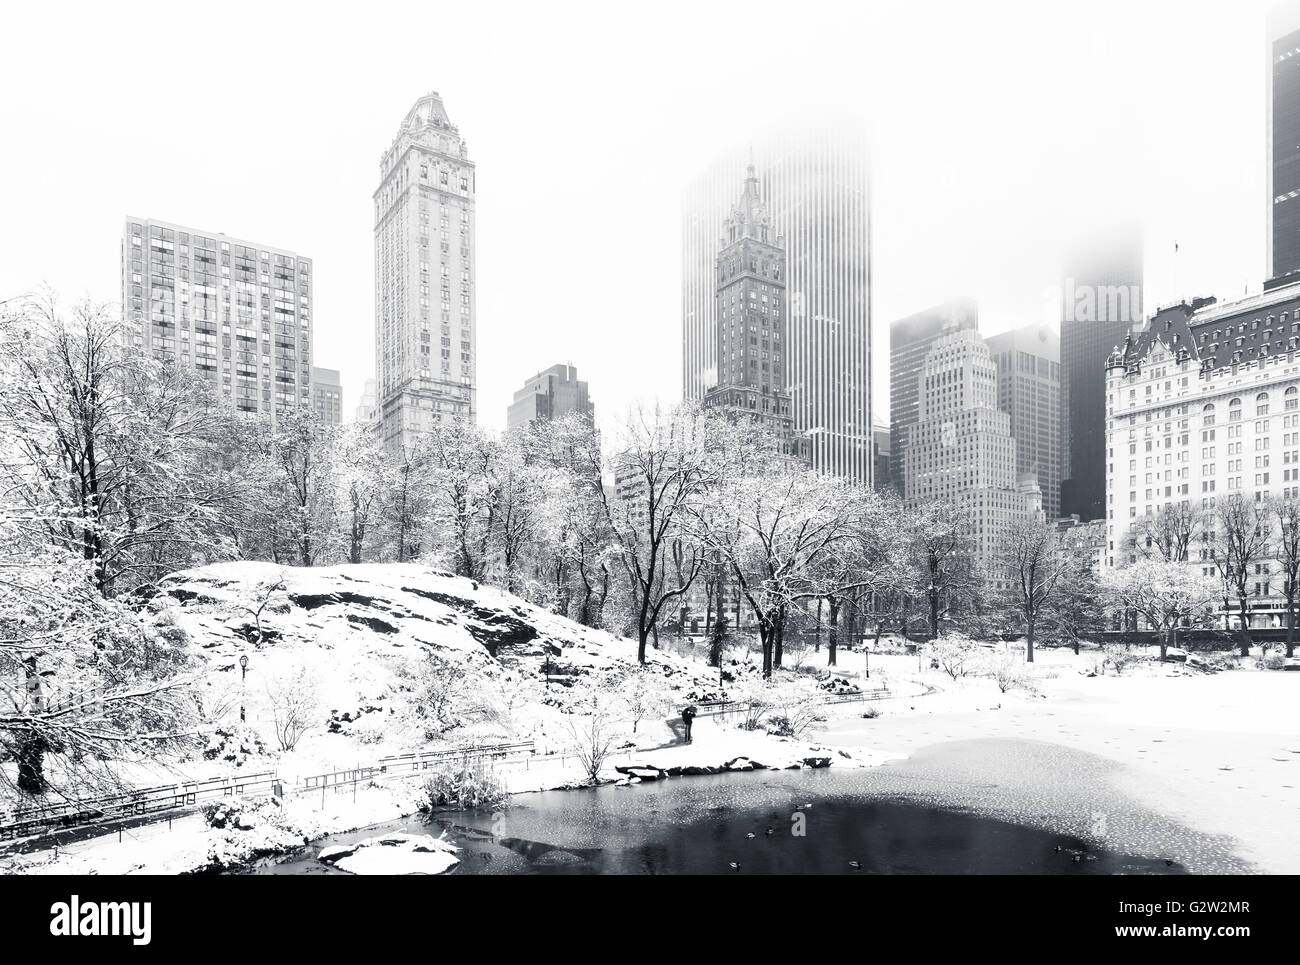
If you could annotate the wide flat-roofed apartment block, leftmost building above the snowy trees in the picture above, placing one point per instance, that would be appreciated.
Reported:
(237, 313)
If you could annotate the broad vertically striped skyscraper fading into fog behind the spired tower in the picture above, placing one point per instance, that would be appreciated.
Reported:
(817, 191)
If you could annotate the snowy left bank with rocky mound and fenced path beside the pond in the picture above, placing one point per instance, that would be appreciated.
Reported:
(357, 639)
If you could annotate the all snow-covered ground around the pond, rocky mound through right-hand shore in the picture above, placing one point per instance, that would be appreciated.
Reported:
(1215, 751)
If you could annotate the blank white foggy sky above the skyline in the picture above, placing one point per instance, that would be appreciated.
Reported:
(996, 127)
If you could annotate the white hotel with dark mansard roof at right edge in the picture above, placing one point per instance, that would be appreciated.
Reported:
(1204, 405)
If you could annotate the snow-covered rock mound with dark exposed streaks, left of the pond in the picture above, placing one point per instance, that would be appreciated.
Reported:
(359, 639)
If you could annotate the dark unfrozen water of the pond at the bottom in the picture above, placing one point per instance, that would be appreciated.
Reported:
(821, 821)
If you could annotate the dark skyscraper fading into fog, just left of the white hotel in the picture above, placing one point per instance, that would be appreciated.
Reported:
(1102, 298)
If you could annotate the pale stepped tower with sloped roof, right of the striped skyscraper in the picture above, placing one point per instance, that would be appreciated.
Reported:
(961, 452)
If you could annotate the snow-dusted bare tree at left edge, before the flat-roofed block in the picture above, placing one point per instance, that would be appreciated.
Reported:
(109, 453)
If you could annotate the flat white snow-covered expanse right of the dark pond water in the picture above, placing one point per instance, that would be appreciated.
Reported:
(1217, 752)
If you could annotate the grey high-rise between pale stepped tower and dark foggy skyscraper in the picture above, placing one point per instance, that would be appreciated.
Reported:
(1029, 390)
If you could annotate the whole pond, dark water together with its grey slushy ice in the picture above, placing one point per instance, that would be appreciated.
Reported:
(968, 808)
